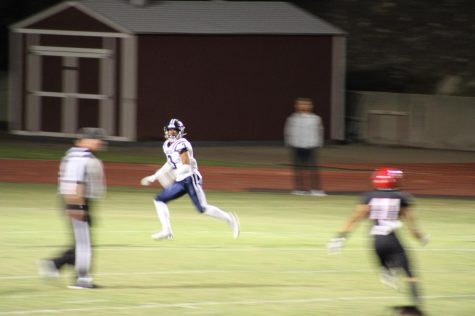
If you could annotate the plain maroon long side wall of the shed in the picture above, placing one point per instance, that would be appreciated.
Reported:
(231, 87)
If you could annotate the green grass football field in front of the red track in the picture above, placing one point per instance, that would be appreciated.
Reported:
(279, 265)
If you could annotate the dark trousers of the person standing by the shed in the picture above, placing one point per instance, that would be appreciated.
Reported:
(306, 175)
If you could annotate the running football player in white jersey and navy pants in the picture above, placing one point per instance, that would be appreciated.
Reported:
(180, 176)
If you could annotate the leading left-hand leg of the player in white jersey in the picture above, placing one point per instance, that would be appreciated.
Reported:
(170, 193)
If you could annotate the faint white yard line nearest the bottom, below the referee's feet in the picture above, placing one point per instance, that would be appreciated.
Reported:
(154, 305)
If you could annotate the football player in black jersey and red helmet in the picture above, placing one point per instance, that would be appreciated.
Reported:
(386, 206)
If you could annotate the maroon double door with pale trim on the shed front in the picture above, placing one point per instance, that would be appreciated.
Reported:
(73, 90)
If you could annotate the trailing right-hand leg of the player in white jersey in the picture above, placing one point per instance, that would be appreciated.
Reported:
(197, 195)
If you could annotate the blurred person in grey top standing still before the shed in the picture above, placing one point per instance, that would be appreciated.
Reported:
(303, 134)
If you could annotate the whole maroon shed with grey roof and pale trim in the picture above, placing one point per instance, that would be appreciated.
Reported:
(229, 70)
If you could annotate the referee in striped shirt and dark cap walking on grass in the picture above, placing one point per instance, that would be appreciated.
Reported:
(81, 179)
